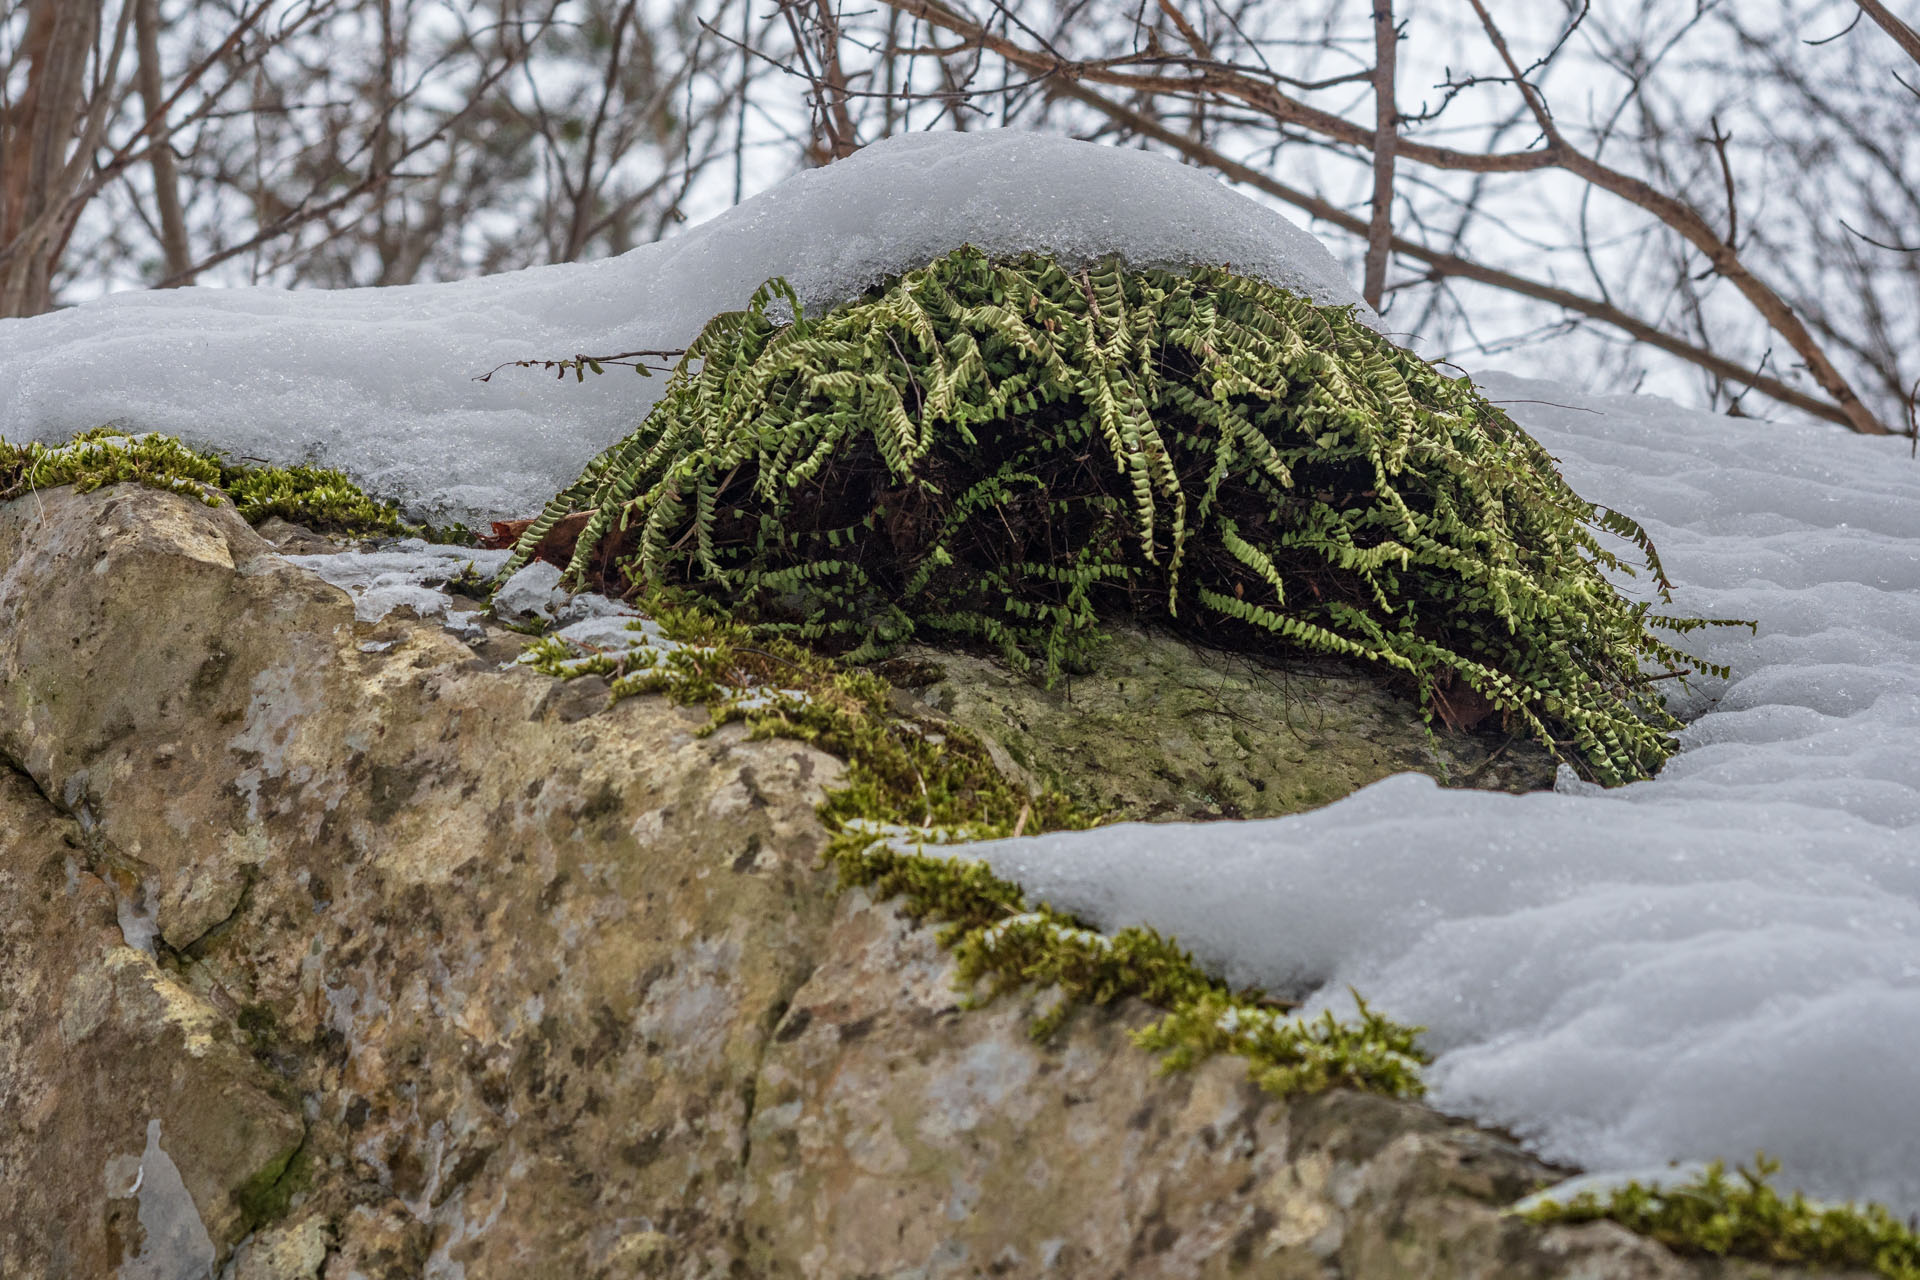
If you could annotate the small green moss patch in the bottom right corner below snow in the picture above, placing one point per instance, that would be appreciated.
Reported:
(1744, 1216)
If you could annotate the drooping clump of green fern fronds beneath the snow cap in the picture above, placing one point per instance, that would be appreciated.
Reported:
(1007, 452)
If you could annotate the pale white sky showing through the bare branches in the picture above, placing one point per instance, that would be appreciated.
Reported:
(1527, 224)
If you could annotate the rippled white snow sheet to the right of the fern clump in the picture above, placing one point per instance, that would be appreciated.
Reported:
(1716, 962)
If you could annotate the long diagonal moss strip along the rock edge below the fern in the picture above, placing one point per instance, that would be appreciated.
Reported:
(913, 786)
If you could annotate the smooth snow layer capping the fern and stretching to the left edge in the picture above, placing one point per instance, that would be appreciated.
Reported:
(381, 383)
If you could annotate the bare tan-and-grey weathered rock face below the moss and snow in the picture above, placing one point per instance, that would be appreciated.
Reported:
(335, 949)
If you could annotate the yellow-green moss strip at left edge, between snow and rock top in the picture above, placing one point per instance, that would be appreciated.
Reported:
(314, 496)
